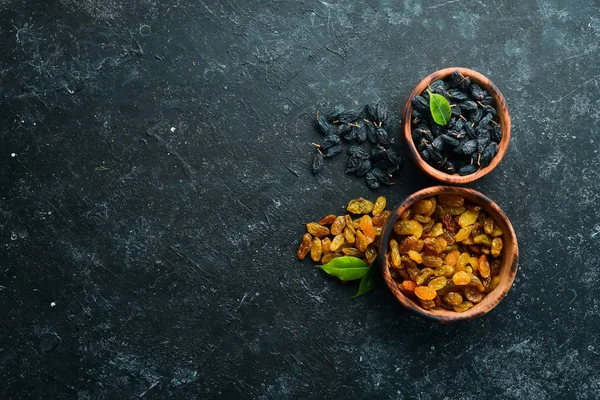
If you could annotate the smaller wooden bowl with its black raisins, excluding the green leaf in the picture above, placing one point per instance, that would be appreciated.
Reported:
(475, 139)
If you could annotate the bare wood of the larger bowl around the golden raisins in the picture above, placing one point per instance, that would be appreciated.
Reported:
(508, 269)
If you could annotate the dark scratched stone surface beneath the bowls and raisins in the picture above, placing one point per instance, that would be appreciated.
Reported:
(160, 181)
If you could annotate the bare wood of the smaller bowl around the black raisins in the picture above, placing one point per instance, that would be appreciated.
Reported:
(503, 116)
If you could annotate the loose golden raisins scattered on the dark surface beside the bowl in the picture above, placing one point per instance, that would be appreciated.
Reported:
(335, 236)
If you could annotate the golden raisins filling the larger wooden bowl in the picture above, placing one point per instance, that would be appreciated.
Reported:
(447, 253)
